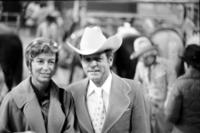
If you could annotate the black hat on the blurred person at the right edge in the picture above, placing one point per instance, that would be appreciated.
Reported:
(191, 55)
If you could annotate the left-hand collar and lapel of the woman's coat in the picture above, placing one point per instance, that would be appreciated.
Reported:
(25, 96)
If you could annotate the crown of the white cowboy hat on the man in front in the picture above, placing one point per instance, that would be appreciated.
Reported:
(92, 38)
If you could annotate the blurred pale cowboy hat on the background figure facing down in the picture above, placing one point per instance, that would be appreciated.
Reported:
(142, 45)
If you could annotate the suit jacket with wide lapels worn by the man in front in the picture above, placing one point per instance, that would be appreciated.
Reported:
(126, 112)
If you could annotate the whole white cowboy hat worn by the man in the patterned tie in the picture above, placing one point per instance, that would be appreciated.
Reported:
(93, 41)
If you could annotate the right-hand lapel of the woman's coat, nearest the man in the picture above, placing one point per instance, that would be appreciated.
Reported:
(56, 116)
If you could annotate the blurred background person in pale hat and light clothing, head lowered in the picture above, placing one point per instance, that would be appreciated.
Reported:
(154, 74)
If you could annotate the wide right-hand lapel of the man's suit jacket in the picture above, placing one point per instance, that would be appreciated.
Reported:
(118, 102)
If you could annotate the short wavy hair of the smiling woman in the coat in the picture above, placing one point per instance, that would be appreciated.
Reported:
(39, 46)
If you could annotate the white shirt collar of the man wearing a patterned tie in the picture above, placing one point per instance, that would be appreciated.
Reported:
(92, 88)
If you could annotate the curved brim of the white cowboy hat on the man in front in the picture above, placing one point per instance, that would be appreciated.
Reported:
(113, 43)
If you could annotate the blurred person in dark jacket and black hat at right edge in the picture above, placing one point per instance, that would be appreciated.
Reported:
(183, 102)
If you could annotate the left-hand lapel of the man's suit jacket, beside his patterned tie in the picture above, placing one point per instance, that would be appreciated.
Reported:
(81, 108)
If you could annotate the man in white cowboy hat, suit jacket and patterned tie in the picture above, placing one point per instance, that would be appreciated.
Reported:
(106, 103)
